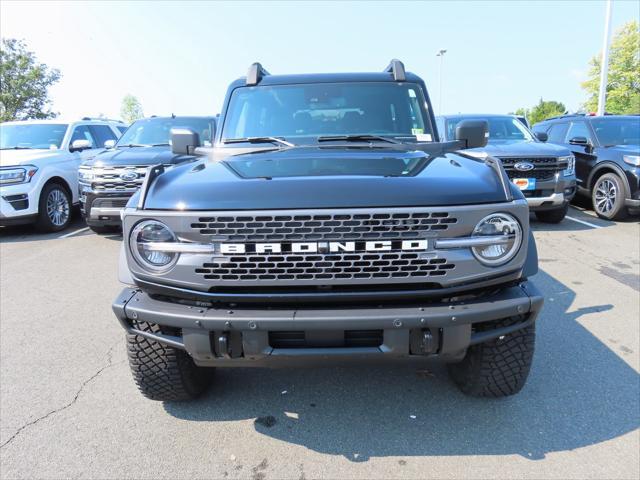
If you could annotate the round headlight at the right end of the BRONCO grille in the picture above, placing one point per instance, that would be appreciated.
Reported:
(506, 241)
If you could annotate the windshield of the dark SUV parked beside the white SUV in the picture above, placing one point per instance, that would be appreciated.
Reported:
(157, 131)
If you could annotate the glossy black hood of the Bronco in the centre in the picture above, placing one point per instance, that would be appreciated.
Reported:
(319, 177)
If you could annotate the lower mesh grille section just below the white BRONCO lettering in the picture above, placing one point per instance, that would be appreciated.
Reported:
(322, 268)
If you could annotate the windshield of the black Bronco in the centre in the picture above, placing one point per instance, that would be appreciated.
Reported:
(327, 109)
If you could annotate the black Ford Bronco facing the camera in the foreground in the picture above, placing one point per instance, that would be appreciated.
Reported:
(328, 223)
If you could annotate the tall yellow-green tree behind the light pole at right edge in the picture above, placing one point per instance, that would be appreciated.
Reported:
(623, 83)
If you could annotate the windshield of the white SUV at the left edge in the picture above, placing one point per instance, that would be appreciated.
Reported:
(32, 135)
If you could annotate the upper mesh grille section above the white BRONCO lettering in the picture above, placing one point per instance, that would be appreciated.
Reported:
(258, 228)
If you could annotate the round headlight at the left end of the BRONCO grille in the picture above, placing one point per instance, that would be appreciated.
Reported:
(144, 241)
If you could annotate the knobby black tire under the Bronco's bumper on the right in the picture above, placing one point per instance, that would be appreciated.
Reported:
(497, 368)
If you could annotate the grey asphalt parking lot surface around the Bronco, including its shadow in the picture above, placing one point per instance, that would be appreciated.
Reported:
(69, 407)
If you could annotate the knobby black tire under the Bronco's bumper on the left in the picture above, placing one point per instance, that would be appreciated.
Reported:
(164, 373)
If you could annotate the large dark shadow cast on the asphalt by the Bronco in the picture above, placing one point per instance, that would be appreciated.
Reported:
(579, 393)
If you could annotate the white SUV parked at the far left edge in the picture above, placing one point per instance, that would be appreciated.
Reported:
(39, 162)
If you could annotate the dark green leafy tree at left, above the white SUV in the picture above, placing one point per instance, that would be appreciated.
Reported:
(24, 83)
